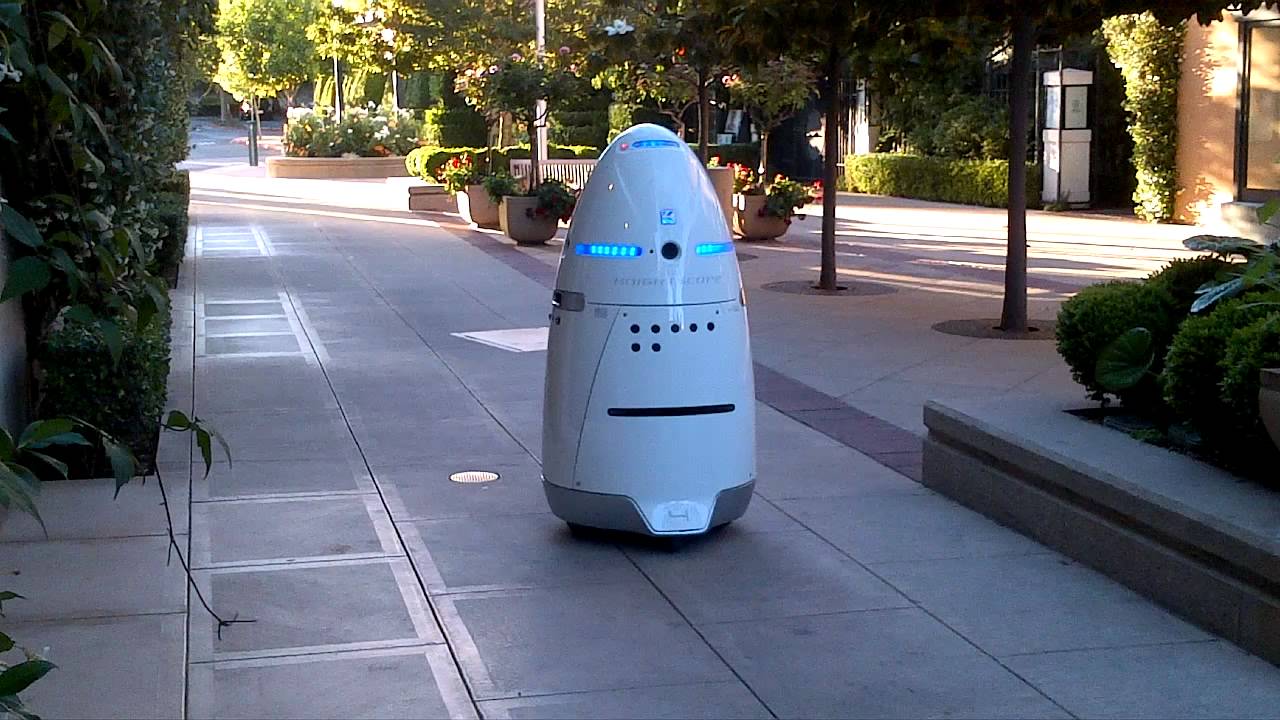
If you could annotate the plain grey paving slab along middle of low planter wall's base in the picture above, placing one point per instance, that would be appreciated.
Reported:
(1020, 604)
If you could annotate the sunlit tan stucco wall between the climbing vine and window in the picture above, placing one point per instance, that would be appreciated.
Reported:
(1206, 120)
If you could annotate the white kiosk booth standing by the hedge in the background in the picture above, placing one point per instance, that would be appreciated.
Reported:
(1067, 138)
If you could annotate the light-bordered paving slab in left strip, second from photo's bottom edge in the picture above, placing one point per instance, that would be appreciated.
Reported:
(313, 608)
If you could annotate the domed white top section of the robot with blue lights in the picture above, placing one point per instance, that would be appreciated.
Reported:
(648, 229)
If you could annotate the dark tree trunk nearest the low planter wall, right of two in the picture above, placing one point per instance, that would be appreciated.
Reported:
(1013, 317)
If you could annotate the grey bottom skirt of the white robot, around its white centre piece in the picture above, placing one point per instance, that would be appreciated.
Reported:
(620, 513)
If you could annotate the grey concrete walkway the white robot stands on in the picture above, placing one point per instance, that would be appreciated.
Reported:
(321, 341)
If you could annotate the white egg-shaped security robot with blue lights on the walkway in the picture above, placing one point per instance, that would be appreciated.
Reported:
(650, 414)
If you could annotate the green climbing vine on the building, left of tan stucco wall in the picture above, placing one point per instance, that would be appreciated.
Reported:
(1149, 54)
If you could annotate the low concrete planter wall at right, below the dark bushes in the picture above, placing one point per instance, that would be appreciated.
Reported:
(1181, 532)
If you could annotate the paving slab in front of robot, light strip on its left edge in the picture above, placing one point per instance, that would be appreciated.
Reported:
(593, 637)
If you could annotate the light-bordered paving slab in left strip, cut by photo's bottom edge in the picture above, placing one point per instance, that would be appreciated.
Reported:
(413, 682)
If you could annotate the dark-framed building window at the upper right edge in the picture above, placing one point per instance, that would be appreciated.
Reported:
(1259, 162)
